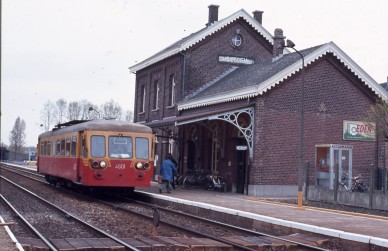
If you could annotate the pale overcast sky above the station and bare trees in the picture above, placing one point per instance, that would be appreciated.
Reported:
(81, 49)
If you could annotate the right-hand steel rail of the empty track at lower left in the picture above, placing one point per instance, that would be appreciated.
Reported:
(69, 215)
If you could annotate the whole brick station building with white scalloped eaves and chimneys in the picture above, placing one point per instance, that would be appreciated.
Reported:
(228, 99)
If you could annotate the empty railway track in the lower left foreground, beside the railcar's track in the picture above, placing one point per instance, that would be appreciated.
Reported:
(55, 218)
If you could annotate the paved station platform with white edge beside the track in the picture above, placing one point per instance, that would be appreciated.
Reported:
(343, 225)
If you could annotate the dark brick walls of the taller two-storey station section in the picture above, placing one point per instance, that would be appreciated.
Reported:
(201, 66)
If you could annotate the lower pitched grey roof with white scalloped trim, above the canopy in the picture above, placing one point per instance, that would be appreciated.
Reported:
(254, 80)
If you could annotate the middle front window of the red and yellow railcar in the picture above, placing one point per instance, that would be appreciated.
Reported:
(120, 147)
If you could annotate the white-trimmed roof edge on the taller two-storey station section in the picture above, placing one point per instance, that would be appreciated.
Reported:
(191, 40)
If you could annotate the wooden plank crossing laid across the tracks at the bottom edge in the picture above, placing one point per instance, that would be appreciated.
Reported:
(174, 243)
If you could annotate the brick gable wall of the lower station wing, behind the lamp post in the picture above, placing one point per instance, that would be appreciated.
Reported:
(332, 95)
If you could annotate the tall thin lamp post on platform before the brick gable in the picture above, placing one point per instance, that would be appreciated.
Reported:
(291, 45)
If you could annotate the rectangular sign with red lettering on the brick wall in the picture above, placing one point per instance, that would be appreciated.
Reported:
(359, 130)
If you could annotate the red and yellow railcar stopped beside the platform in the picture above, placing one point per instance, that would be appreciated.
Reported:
(97, 154)
